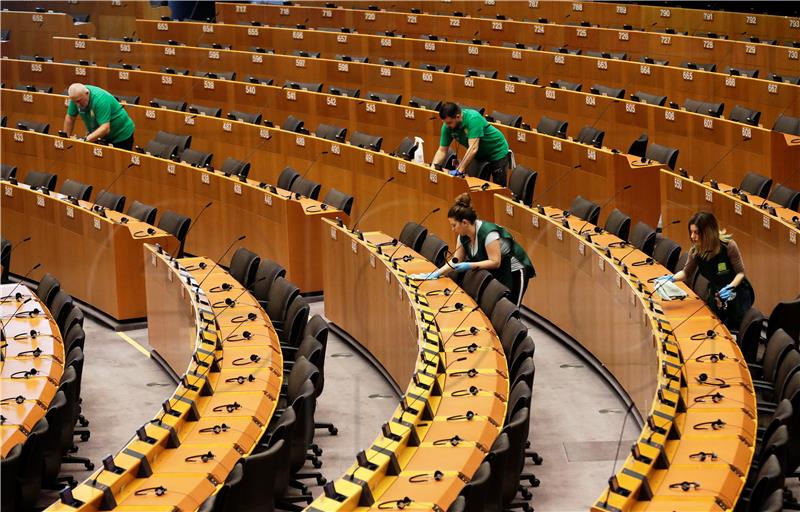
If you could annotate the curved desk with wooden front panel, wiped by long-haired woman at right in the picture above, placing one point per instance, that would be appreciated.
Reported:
(658, 351)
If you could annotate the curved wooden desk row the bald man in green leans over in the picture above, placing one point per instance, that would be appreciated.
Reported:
(283, 226)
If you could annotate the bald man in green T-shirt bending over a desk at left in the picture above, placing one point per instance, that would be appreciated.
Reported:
(102, 114)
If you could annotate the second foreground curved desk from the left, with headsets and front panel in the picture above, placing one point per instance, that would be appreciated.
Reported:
(188, 315)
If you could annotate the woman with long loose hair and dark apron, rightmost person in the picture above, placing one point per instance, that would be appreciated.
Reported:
(718, 259)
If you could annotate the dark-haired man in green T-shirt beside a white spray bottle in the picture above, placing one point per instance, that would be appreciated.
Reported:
(484, 142)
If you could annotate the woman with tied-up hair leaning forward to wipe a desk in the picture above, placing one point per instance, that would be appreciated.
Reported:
(485, 245)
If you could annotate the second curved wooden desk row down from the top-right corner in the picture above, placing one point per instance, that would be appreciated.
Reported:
(635, 43)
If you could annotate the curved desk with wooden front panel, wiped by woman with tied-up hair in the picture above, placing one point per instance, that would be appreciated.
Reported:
(418, 334)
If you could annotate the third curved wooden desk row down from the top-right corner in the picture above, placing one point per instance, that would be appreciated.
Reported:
(771, 98)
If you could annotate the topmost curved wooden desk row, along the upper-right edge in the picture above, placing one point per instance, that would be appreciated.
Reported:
(609, 14)
